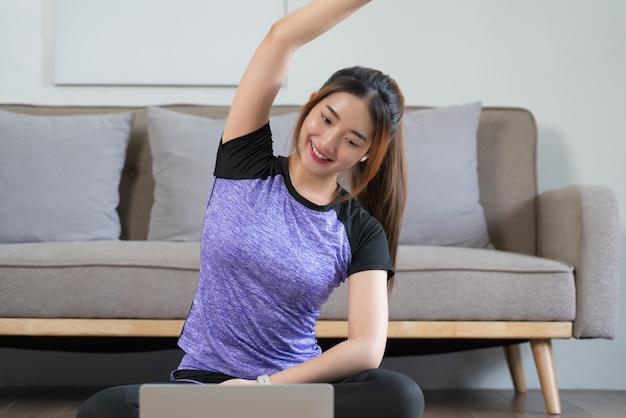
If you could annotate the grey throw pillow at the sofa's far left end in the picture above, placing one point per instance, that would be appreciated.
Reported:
(59, 176)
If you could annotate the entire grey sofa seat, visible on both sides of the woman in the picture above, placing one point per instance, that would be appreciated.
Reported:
(157, 280)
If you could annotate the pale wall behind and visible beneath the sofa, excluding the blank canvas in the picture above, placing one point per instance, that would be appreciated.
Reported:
(563, 59)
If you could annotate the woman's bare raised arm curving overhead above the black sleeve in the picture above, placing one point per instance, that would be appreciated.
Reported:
(268, 67)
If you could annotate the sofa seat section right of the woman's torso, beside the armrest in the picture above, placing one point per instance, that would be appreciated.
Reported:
(447, 283)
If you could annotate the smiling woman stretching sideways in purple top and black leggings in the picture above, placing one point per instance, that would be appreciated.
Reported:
(280, 234)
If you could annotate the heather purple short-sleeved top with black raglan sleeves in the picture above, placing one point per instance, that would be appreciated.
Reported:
(269, 261)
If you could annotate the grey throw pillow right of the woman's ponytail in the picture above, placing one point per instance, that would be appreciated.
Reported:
(443, 203)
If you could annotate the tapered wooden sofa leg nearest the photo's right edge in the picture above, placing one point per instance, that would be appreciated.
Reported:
(544, 361)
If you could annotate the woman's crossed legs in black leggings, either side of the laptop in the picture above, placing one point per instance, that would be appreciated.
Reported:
(375, 393)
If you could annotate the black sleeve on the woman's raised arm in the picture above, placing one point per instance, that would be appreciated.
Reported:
(247, 157)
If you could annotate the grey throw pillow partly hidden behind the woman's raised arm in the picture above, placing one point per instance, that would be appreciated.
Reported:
(183, 149)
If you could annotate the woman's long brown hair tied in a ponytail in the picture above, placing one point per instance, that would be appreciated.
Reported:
(378, 183)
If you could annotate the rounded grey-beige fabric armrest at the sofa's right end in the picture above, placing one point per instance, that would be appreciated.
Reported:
(579, 225)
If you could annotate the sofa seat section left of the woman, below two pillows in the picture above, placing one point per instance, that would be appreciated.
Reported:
(98, 279)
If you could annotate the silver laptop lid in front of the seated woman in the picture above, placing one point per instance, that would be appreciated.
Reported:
(310, 400)
